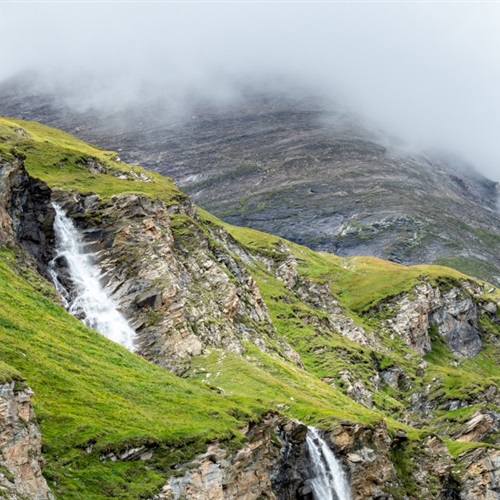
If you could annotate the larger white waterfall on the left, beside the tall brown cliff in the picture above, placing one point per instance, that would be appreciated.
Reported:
(86, 298)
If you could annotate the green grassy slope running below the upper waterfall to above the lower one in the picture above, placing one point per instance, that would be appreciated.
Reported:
(89, 390)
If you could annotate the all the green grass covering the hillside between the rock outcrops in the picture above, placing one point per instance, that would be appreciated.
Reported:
(92, 394)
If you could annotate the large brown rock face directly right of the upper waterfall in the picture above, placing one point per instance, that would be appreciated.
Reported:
(181, 288)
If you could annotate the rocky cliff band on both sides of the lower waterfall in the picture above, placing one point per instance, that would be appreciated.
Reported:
(275, 463)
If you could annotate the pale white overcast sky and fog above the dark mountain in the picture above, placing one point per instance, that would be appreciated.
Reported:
(429, 72)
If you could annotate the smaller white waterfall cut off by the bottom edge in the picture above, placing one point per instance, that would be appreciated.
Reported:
(329, 481)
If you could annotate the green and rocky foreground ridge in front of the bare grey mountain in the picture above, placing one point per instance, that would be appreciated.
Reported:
(398, 364)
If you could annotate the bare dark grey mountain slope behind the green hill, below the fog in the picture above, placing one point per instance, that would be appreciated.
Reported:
(295, 166)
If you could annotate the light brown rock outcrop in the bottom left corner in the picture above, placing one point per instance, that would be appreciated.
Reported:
(20, 446)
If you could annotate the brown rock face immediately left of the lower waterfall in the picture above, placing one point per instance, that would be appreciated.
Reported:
(273, 464)
